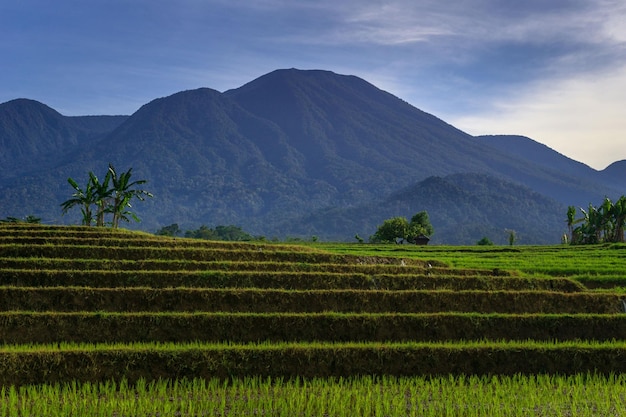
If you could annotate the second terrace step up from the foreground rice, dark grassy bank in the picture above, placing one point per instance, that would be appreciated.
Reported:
(99, 327)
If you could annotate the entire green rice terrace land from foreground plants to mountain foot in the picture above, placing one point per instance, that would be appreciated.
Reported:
(97, 321)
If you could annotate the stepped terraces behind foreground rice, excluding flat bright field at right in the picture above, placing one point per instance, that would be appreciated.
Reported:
(87, 304)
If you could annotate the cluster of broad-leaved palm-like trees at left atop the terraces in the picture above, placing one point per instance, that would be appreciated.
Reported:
(111, 196)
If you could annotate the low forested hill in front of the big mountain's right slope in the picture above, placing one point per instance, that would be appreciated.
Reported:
(462, 207)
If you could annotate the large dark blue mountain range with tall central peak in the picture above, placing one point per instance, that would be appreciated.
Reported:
(273, 154)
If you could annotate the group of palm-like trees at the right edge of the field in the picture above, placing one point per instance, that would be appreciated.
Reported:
(604, 223)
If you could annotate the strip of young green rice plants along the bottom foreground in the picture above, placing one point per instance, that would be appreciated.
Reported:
(583, 395)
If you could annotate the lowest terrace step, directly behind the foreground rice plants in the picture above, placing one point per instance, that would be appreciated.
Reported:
(32, 364)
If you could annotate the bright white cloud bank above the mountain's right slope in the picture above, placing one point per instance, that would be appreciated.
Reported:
(580, 117)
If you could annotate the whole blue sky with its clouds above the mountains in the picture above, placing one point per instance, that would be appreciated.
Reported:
(553, 70)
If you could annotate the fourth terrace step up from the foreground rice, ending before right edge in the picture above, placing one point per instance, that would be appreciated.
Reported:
(276, 280)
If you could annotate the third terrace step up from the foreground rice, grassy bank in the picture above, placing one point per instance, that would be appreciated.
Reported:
(71, 299)
